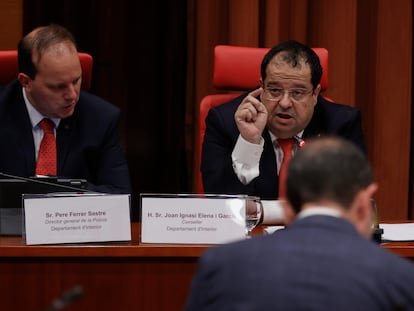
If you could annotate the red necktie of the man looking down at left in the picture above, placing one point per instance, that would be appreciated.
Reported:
(46, 160)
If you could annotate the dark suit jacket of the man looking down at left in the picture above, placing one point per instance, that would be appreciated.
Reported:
(88, 144)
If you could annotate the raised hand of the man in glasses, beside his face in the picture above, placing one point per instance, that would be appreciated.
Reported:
(251, 117)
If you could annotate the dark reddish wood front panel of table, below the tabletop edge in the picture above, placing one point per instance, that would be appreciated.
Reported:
(108, 284)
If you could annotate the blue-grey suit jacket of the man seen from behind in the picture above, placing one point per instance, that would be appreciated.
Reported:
(317, 263)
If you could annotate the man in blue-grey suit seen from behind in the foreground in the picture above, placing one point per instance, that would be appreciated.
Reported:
(324, 259)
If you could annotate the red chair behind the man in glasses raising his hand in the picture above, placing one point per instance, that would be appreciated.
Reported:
(236, 70)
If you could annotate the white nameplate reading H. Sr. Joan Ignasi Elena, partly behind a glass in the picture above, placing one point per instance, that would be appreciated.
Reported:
(192, 220)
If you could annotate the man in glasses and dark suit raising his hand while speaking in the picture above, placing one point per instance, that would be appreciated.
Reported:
(241, 153)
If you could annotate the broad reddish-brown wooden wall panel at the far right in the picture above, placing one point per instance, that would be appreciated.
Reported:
(392, 113)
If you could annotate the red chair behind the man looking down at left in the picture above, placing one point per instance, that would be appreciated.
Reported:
(9, 68)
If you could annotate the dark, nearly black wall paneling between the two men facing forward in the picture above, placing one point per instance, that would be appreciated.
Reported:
(140, 57)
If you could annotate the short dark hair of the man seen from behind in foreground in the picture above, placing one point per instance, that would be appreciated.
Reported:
(327, 168)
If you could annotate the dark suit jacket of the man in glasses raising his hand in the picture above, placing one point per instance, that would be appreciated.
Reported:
(222, 133)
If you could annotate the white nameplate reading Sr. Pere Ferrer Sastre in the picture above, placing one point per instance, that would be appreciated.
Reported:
(64, 218)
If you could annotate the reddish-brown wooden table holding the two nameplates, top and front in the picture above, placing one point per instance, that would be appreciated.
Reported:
(115, 276)
